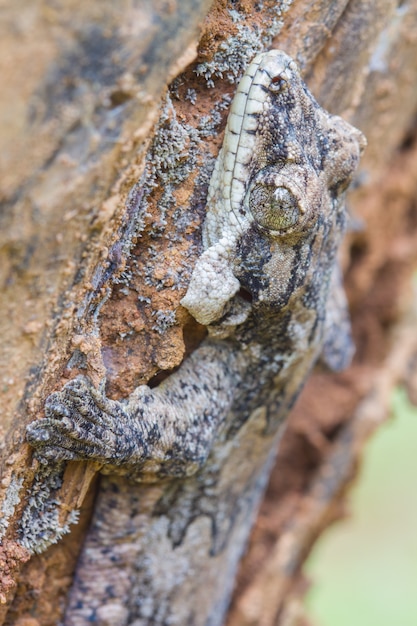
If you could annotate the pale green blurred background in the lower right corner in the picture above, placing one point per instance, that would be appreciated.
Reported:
(364, 569)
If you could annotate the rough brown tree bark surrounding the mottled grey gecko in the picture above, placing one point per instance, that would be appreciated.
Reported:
(82, 95)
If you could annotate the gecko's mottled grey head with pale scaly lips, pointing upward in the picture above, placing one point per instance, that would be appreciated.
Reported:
(276, 210)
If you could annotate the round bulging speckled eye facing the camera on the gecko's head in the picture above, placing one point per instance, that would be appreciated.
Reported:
(274, 208)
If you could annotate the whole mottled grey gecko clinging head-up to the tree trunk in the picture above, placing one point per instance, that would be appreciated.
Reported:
(268, 288)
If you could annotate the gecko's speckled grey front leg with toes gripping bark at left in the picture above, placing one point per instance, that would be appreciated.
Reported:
(166, 431)
